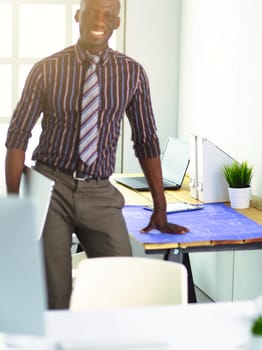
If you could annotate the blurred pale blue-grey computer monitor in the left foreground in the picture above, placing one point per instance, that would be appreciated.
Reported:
(22, 292)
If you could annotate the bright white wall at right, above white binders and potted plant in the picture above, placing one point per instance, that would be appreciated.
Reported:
(221, 77)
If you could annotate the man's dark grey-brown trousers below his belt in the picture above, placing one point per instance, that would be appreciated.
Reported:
(91, 210)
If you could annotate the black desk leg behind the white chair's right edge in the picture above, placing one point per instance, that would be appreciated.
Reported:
(178, 256)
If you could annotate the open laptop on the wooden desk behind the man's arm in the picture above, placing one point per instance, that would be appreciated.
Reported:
(174, 162)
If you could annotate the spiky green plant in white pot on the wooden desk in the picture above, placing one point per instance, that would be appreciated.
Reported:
(238, 176)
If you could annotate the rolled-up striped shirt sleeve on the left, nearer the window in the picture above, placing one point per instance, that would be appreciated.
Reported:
(27, 111)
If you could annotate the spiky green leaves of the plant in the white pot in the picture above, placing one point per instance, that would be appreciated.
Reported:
(238, 175)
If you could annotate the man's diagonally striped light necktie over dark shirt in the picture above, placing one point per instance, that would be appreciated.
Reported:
(89, 114)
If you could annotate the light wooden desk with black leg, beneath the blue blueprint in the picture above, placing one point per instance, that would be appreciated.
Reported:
(178, 249)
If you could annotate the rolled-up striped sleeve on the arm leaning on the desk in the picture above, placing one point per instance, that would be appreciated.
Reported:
(142, 120)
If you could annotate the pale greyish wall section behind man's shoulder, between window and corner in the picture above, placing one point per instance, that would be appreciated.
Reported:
(152, 38)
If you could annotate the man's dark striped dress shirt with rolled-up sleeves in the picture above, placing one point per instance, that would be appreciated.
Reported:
(53, 91)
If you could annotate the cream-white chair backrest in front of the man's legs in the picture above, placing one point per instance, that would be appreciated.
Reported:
(115, 282)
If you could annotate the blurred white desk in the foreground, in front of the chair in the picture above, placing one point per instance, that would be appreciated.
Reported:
(222, 326)
